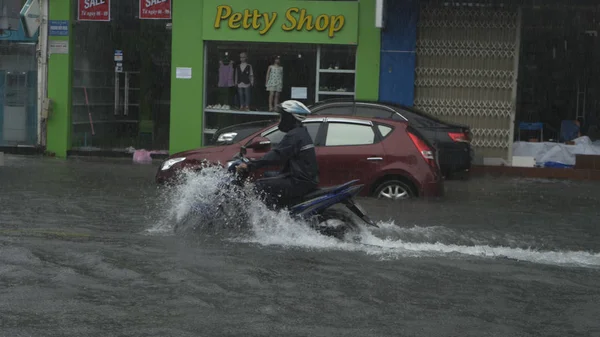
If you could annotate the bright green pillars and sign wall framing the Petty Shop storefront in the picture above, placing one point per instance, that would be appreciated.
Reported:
(348, 22)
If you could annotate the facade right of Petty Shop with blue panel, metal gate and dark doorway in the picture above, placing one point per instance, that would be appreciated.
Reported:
(494, 65)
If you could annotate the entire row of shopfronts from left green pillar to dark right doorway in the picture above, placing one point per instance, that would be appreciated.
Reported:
(119, 80)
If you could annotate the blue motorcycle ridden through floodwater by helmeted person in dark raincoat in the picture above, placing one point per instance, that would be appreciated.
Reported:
(315, 208)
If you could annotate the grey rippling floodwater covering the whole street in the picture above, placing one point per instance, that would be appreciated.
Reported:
(87, 249)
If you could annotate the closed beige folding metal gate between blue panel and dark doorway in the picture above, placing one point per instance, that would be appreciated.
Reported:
(465, 71)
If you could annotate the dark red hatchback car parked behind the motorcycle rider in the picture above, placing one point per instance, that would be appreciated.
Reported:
(389, 157)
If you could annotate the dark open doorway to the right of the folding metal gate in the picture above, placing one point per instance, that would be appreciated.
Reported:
(559, 75)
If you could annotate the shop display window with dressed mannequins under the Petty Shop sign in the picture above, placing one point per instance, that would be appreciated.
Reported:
(235, 93)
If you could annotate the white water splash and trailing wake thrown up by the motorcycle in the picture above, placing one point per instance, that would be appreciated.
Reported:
(390, 241)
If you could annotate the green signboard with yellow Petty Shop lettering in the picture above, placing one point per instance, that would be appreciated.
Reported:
(320, 22)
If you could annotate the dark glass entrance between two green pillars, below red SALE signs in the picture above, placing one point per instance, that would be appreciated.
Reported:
(126, 107)
